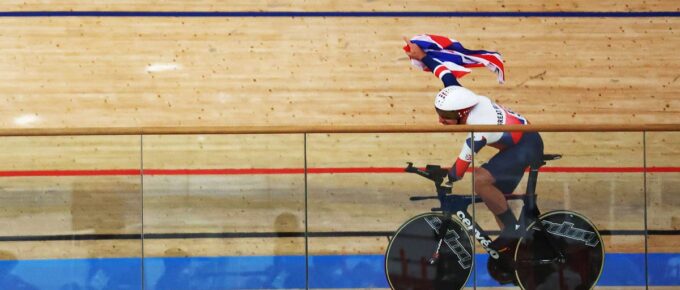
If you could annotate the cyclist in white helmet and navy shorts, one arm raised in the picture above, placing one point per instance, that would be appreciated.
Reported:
(457, 105)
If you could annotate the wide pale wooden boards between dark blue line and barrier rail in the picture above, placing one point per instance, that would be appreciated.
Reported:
(183, 72)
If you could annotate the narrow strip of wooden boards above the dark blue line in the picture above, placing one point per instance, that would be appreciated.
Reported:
(337, 5)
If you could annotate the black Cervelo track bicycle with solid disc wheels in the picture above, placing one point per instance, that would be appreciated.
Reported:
(559, 249)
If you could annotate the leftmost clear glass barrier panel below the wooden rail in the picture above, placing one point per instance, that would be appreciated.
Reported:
(70, 215)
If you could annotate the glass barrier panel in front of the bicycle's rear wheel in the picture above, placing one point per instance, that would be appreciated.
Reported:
(587, 224)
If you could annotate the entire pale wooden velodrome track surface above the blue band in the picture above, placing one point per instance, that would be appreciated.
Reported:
(66, 72)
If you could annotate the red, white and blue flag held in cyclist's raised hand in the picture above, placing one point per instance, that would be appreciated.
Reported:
(455, 57)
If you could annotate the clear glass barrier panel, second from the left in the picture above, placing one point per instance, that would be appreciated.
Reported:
(224, 212)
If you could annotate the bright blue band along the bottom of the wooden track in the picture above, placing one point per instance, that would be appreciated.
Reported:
(274, 272)
